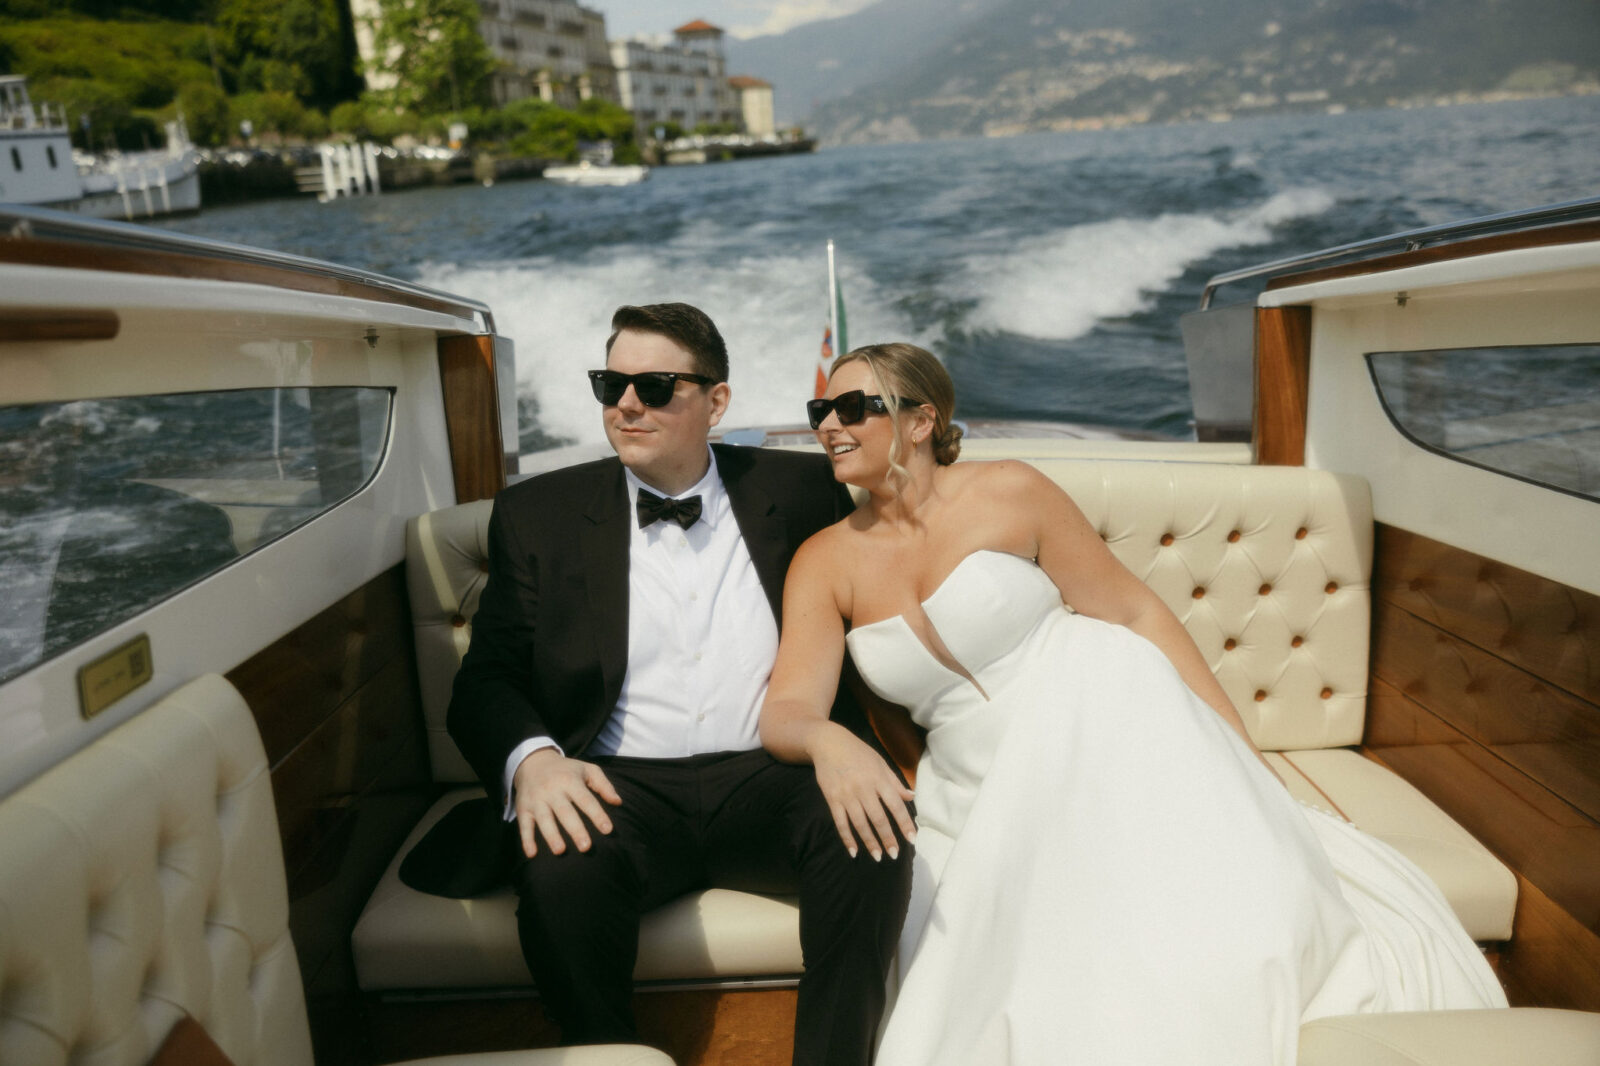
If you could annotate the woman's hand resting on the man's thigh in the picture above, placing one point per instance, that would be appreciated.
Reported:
(866, 799)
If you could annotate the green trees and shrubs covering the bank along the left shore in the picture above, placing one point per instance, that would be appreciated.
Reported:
(287, 68)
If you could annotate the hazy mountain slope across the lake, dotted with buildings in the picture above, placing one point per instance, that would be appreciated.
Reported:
(990, 68)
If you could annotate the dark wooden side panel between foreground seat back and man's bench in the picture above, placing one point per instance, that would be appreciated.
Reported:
(338, 707)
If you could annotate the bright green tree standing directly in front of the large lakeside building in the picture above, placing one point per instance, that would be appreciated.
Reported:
(434, 54)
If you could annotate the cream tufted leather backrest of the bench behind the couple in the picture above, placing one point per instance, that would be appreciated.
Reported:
(1268, 567)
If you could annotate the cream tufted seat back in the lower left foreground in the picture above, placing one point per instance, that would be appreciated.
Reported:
(143, 880)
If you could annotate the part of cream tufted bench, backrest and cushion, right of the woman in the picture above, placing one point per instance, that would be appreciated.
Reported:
(1270, 569)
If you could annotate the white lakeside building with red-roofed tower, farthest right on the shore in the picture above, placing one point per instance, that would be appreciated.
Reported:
(682, 79)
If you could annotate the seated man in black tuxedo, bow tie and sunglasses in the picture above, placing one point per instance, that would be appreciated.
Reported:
(614, 686)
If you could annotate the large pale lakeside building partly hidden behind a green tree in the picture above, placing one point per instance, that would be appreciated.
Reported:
(550, 49)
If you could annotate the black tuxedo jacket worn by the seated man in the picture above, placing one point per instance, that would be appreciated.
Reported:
(550, 643)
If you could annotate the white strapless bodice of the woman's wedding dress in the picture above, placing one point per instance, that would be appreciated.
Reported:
(985, 612)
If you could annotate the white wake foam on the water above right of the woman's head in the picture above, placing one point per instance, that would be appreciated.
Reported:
(1058, 286)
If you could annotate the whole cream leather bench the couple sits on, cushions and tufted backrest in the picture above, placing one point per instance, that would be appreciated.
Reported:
(1268, 567)
